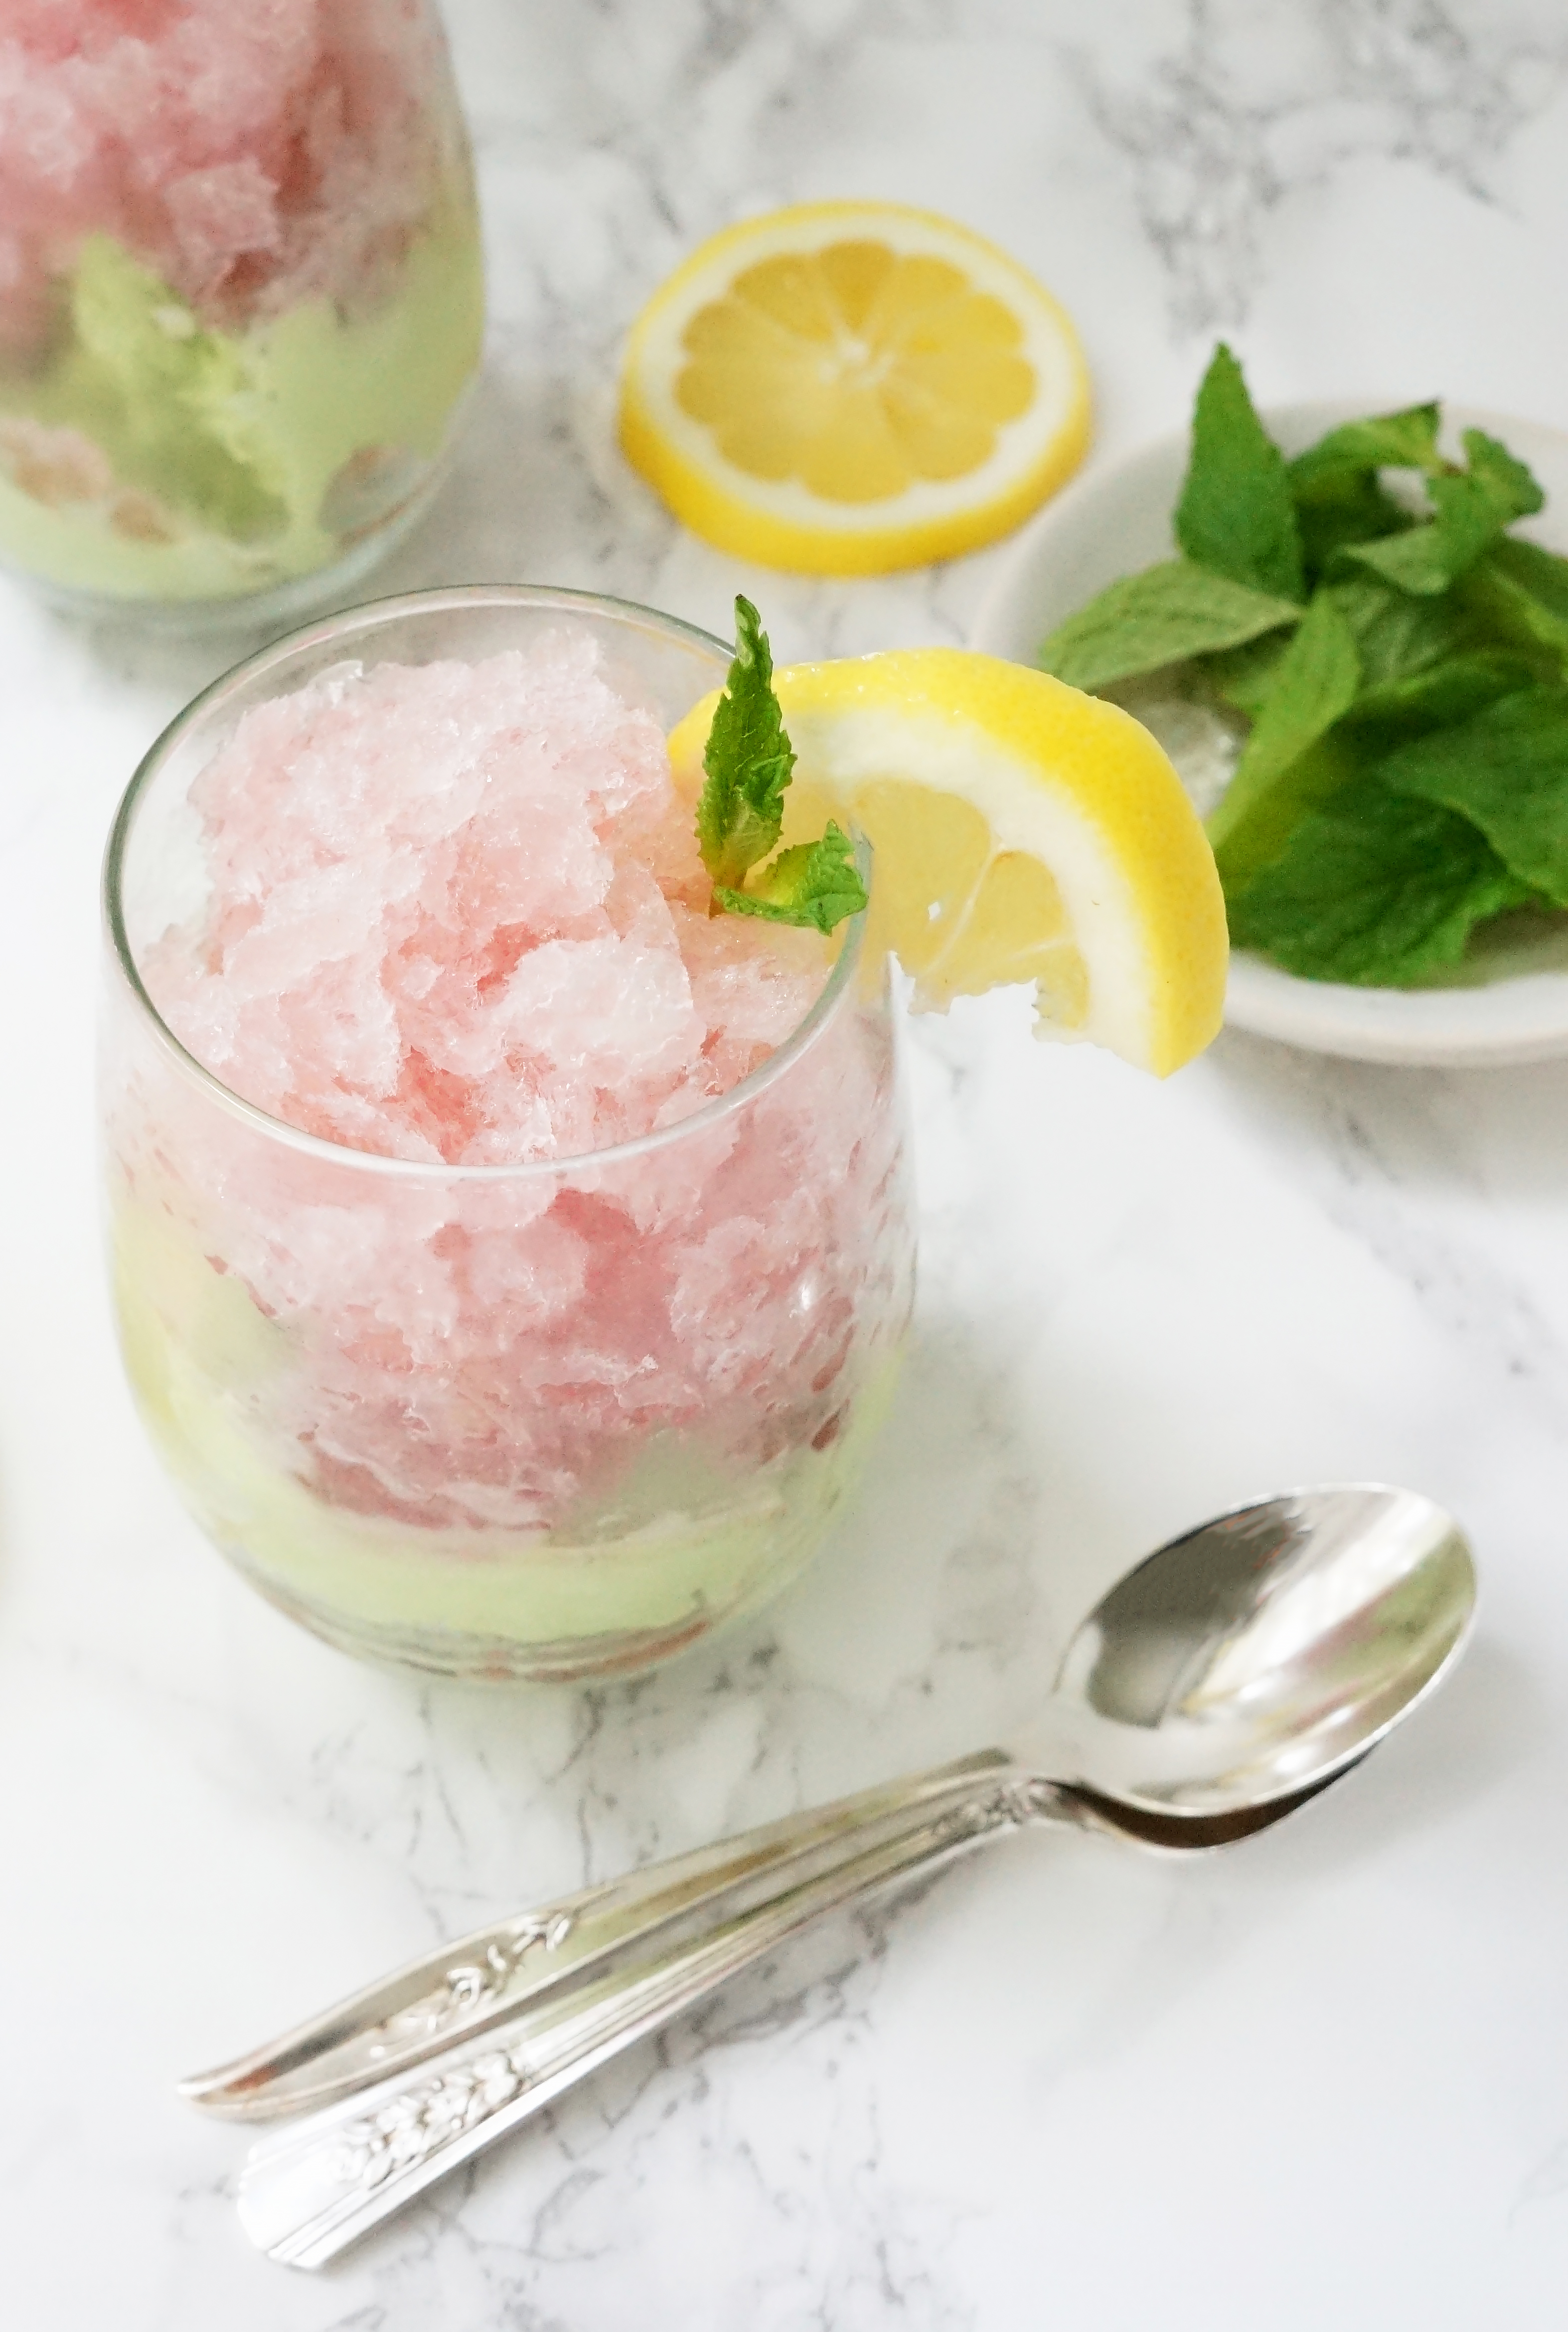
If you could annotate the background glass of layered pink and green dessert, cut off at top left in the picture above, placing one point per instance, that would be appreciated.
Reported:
(241, 297)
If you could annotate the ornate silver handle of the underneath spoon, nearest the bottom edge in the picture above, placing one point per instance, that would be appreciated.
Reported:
(318, 2186)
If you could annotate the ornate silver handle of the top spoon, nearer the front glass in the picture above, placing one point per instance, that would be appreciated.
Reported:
(482, 1981)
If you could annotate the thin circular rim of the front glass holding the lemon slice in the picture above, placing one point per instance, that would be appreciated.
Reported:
(344, 626)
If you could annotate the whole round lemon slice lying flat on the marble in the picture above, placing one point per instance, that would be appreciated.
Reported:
(846, 388)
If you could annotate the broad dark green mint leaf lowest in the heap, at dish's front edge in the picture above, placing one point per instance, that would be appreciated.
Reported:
(1375, 890)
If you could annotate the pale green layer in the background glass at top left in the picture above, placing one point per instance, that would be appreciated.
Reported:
(153, 458)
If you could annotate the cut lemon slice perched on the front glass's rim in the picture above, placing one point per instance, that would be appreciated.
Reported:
(1021, 831)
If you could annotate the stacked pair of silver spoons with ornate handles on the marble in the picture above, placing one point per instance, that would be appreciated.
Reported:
(1217, 1687)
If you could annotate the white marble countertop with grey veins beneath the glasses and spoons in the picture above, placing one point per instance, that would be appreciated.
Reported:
(1317, 2081)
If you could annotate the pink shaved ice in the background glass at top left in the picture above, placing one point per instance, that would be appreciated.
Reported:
(253, 153)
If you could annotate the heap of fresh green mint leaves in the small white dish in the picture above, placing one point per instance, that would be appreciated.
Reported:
(1403, 663)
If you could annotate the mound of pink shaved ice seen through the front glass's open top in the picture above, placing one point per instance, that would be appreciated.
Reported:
(458, 915)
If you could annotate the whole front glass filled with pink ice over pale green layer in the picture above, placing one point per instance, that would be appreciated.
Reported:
(554, 1328)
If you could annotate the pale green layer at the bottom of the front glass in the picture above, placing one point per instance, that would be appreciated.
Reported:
(701, 1543)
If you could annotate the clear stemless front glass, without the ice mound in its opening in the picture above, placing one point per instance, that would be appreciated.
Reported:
(500, 1421)
